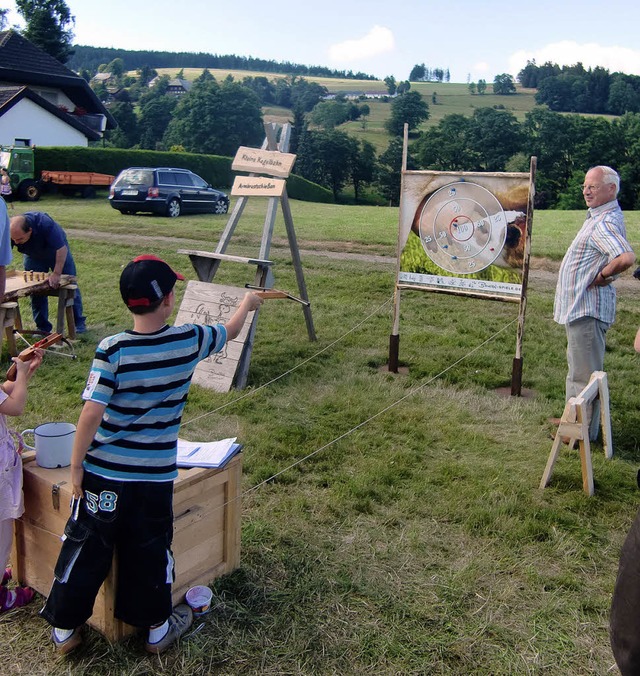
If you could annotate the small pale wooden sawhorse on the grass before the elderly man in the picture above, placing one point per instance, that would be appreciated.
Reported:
(574, 425)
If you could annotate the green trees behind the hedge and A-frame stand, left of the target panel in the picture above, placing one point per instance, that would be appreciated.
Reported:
(217, 117)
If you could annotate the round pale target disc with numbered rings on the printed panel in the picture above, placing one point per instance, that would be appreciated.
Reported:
(462, 228)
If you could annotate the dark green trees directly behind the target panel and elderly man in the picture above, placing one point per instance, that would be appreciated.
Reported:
(565, 146)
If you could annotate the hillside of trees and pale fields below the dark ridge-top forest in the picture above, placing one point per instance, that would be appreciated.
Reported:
(347, 133)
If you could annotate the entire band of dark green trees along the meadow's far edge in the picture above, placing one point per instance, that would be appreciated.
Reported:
(217, 117)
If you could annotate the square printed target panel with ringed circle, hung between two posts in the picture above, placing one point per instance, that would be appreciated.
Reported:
(464, 232)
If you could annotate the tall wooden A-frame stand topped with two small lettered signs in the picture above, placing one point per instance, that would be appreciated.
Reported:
(273, 160)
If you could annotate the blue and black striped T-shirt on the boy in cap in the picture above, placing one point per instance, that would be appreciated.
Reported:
(143, 380)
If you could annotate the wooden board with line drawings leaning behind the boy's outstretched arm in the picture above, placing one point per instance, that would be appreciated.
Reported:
(205, 303)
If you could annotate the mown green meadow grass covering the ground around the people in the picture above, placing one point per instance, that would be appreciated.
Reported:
(392, 524)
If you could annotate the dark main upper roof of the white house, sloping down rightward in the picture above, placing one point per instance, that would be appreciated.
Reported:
(22, 63)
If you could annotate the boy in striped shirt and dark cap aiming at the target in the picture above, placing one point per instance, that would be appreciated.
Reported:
(124, 462)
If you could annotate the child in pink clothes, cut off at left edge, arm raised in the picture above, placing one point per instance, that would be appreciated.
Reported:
(13, 397)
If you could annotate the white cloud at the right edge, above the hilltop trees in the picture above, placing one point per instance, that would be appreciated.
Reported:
(591, 54)
